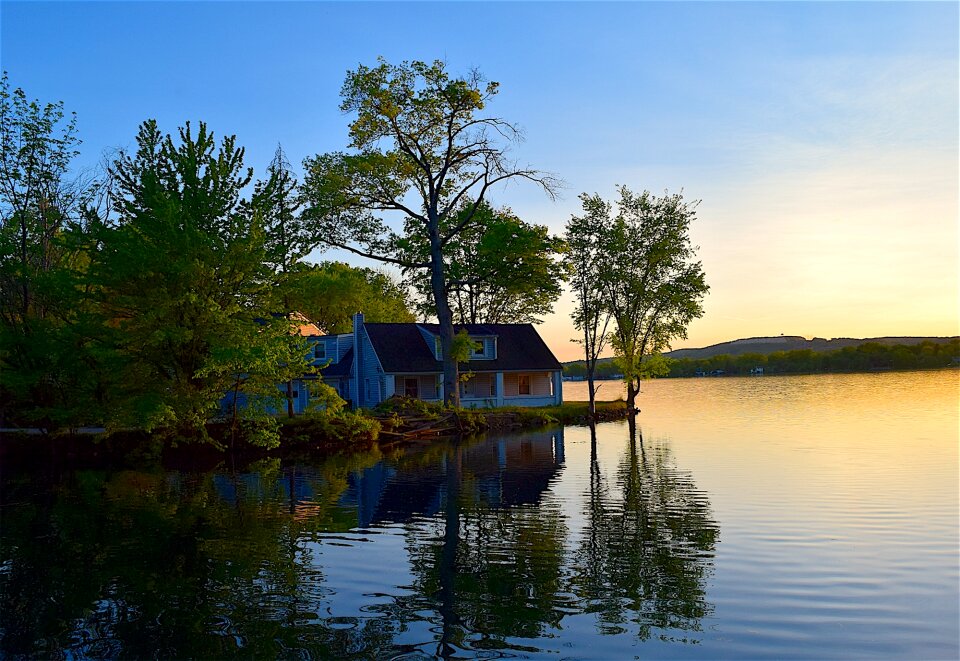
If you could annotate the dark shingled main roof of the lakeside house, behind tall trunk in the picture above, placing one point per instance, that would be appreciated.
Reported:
(402, 348)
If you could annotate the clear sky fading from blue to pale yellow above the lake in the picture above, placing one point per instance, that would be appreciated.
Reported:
(820, 138)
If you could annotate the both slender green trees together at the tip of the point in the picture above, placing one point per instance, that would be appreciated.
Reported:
(637, 268)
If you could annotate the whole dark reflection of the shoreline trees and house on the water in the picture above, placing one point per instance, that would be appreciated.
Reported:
(240, 563)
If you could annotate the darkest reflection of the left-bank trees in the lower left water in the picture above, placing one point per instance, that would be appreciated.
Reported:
(136, 564)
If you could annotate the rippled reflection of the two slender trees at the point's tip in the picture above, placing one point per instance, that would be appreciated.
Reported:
(647, 548)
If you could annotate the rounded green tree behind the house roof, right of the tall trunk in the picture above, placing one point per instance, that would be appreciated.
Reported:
(499, 269)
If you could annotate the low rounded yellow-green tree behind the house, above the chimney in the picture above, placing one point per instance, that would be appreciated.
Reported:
(331, 292)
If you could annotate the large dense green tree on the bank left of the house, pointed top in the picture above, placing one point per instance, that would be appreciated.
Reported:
(182, 281)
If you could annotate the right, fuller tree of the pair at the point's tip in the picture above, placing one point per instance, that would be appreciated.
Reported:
(652, 287)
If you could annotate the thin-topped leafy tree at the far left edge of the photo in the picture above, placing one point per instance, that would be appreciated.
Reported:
(45, 352)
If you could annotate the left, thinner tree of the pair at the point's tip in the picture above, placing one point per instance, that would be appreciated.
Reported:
(591, 316)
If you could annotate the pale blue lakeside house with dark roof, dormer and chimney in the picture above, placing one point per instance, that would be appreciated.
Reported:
(511, 366)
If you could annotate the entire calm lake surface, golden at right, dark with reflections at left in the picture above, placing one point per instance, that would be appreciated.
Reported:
(773, 517)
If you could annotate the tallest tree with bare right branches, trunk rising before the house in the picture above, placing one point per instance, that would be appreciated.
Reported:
(422, 149)
